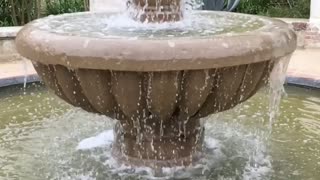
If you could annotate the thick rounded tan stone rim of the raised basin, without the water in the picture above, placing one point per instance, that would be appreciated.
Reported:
(273, 40)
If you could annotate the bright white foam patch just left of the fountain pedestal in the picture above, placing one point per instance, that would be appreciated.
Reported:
(103, 139)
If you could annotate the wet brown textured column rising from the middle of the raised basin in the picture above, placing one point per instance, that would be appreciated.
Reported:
(157, 10)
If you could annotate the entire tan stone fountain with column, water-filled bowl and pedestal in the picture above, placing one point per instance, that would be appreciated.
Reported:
(157, 82)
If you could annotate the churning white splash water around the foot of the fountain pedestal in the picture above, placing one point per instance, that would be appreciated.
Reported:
(250, 152)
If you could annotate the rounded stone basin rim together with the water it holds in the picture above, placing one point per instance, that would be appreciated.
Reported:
(203, 41)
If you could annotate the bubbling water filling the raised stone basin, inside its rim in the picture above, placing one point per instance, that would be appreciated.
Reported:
(120, 26)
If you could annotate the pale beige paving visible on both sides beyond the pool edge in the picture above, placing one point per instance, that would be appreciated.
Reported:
(304, 69)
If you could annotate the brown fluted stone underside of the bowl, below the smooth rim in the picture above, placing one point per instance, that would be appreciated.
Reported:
(165, 96)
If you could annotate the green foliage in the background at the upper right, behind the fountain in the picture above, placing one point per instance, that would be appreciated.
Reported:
(276, 8)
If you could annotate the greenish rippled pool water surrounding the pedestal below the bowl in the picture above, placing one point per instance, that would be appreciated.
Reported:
(41, 137)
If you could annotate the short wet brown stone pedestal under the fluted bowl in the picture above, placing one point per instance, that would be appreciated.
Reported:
(170, 149)
